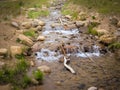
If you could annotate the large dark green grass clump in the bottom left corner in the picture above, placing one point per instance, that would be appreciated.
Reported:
(16, 76)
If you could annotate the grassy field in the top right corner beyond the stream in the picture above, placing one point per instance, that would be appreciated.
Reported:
(102, 6)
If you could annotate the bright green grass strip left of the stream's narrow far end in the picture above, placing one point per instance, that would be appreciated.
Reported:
(36, 14)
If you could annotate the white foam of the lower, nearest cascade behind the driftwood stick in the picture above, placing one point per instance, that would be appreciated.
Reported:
(49, 55)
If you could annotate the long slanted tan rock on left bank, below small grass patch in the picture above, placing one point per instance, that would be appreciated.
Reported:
(25, 40)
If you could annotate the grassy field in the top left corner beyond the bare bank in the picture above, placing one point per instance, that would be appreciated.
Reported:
(12, 8)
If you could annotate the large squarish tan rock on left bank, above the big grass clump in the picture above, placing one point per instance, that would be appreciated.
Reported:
(15, 50)
